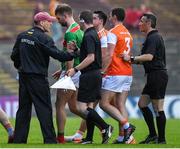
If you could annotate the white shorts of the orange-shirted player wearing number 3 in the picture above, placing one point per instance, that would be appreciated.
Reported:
(117, 83)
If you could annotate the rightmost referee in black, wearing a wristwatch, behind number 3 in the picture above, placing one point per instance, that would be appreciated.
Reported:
(153, 59)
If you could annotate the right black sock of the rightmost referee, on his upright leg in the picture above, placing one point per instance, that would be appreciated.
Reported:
(161, 124)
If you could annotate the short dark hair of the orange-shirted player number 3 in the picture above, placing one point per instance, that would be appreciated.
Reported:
(119, 13)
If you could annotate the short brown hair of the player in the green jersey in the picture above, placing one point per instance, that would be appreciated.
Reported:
(63, 8)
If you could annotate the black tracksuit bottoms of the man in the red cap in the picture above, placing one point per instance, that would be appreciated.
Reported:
(34, 89)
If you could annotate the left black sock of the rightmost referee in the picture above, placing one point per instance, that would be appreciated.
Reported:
(148, 117)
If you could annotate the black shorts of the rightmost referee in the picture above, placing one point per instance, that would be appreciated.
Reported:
(156, 84)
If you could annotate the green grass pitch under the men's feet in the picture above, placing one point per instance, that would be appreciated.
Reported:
(35, 136)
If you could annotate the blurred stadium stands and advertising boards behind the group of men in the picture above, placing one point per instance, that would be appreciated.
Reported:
(17, 16)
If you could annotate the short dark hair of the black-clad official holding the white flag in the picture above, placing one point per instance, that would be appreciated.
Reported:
(87, 16)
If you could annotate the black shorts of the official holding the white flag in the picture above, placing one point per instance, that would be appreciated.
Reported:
(90, 86)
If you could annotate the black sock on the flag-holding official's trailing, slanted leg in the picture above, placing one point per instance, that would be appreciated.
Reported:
(98, 121)
